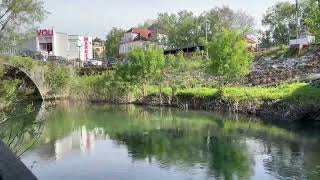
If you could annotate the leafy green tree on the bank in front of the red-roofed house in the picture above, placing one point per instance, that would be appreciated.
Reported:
(143, 66)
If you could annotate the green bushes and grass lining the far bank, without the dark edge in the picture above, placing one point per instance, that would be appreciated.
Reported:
(64, 81)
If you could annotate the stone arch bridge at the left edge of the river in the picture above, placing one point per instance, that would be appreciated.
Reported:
(33, 78)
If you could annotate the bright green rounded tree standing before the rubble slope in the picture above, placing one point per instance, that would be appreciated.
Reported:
(229, 56)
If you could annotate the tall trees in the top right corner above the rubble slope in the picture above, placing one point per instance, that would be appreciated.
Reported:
(280, 21)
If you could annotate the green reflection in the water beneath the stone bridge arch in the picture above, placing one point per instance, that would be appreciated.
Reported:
(23, 127)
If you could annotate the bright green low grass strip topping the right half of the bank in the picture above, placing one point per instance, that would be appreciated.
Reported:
(301, 93)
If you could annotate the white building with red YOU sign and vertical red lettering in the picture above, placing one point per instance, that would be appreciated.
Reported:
(61, 44)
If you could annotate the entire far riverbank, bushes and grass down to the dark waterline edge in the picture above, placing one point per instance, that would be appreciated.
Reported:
(284, 102)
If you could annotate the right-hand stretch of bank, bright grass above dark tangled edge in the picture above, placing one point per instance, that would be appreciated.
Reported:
(289, 102)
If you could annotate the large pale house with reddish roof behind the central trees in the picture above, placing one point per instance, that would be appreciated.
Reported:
(141, 37)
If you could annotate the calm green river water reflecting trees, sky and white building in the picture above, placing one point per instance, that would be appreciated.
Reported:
(102, 142)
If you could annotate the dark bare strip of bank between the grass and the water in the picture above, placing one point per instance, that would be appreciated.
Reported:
(280, 110)
